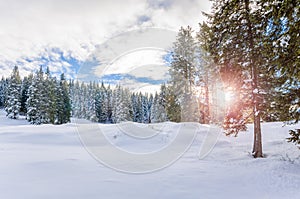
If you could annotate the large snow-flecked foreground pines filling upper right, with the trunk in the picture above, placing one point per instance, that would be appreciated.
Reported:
(261, 40)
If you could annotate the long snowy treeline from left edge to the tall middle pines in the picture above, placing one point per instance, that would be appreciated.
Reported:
(44, 99)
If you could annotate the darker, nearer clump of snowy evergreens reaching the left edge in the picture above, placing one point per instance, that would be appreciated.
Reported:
(40, 97)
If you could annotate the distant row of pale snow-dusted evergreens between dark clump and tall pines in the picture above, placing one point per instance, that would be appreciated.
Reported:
(100, 103)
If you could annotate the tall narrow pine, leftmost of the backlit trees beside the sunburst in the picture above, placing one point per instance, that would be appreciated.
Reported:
(183, 72)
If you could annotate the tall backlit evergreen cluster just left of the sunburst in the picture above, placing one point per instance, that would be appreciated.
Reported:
(191, 72)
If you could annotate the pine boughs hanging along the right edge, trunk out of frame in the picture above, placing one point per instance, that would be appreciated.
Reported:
(283, 45)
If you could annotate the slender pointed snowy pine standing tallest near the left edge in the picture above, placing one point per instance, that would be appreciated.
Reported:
(13, 101)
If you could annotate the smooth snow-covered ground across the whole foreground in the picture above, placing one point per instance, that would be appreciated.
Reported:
(49, 161)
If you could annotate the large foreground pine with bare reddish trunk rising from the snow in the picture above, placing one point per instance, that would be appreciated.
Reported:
(237, 34)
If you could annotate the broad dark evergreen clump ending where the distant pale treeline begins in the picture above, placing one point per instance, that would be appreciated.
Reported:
(48, 100)
